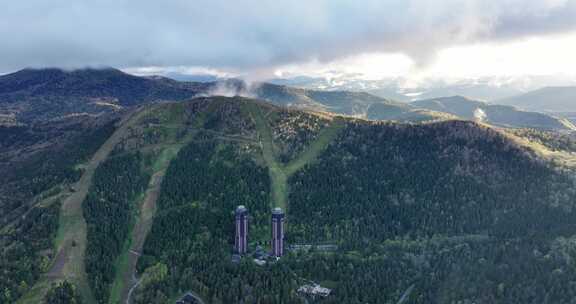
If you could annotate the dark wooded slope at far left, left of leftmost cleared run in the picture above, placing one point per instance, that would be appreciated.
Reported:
(37, 157)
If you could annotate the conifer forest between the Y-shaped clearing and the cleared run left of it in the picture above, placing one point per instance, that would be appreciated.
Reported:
(192, 233)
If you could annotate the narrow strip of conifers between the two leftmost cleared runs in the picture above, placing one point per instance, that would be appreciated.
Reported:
(108, 210)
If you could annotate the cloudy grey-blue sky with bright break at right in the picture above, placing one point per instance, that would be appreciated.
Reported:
(262, 38)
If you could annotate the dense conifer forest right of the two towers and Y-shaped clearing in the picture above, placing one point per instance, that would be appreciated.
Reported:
(454, 209)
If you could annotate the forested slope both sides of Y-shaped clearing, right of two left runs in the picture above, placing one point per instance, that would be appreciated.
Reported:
(444, 207)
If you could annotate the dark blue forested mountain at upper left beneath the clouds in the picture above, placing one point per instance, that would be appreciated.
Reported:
(42, 94)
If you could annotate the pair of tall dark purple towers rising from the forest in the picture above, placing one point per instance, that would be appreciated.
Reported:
(241, 236)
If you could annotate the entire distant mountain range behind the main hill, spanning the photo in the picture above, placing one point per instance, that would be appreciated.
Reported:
(47, 94)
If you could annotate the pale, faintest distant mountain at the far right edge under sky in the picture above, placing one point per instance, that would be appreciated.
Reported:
(549, 99)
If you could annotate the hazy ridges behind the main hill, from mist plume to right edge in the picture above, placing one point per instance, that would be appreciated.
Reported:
(364, 105)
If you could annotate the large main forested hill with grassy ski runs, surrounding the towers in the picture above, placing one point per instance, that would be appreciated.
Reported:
(437, 212)
